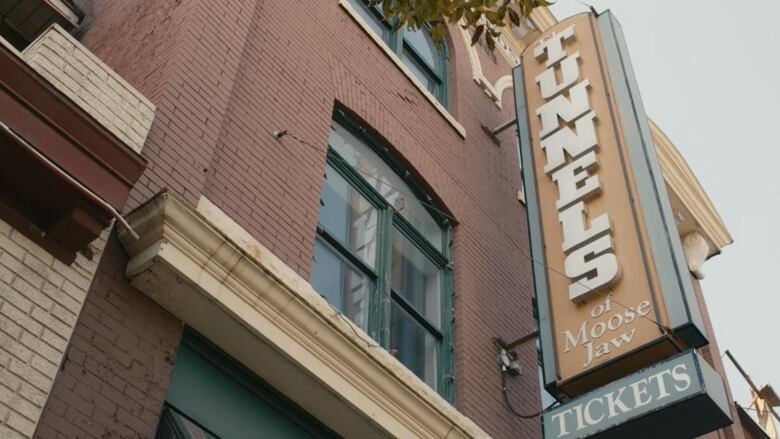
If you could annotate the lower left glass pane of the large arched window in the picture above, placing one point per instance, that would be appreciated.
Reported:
(343, 286)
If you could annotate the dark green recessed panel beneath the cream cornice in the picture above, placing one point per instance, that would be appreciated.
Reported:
(212, 396)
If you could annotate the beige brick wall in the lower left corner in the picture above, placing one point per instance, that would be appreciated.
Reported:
(40, 300)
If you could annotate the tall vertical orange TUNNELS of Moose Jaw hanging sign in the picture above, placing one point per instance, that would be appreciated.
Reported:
(613, 291)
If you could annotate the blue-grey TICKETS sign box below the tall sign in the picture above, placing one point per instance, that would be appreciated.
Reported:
(656, 402)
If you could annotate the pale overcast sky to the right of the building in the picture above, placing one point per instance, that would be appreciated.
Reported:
(709, 72)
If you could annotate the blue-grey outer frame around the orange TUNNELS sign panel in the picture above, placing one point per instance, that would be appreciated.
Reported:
(679, 298)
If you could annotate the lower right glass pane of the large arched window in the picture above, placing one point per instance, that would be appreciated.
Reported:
(413, 346)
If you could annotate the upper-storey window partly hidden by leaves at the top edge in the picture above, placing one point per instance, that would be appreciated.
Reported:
(415, 48)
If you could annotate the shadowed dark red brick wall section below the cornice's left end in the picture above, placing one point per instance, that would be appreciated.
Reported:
(113, 379)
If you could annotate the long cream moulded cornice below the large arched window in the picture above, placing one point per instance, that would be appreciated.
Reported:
(215, 277)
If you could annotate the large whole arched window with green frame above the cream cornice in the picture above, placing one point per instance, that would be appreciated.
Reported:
(382, 257)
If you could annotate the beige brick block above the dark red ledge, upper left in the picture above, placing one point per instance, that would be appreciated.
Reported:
(91, 84)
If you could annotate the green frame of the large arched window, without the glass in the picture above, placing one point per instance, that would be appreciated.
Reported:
(391, 311)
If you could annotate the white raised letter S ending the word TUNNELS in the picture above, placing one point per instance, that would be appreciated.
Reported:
(591, 268)
